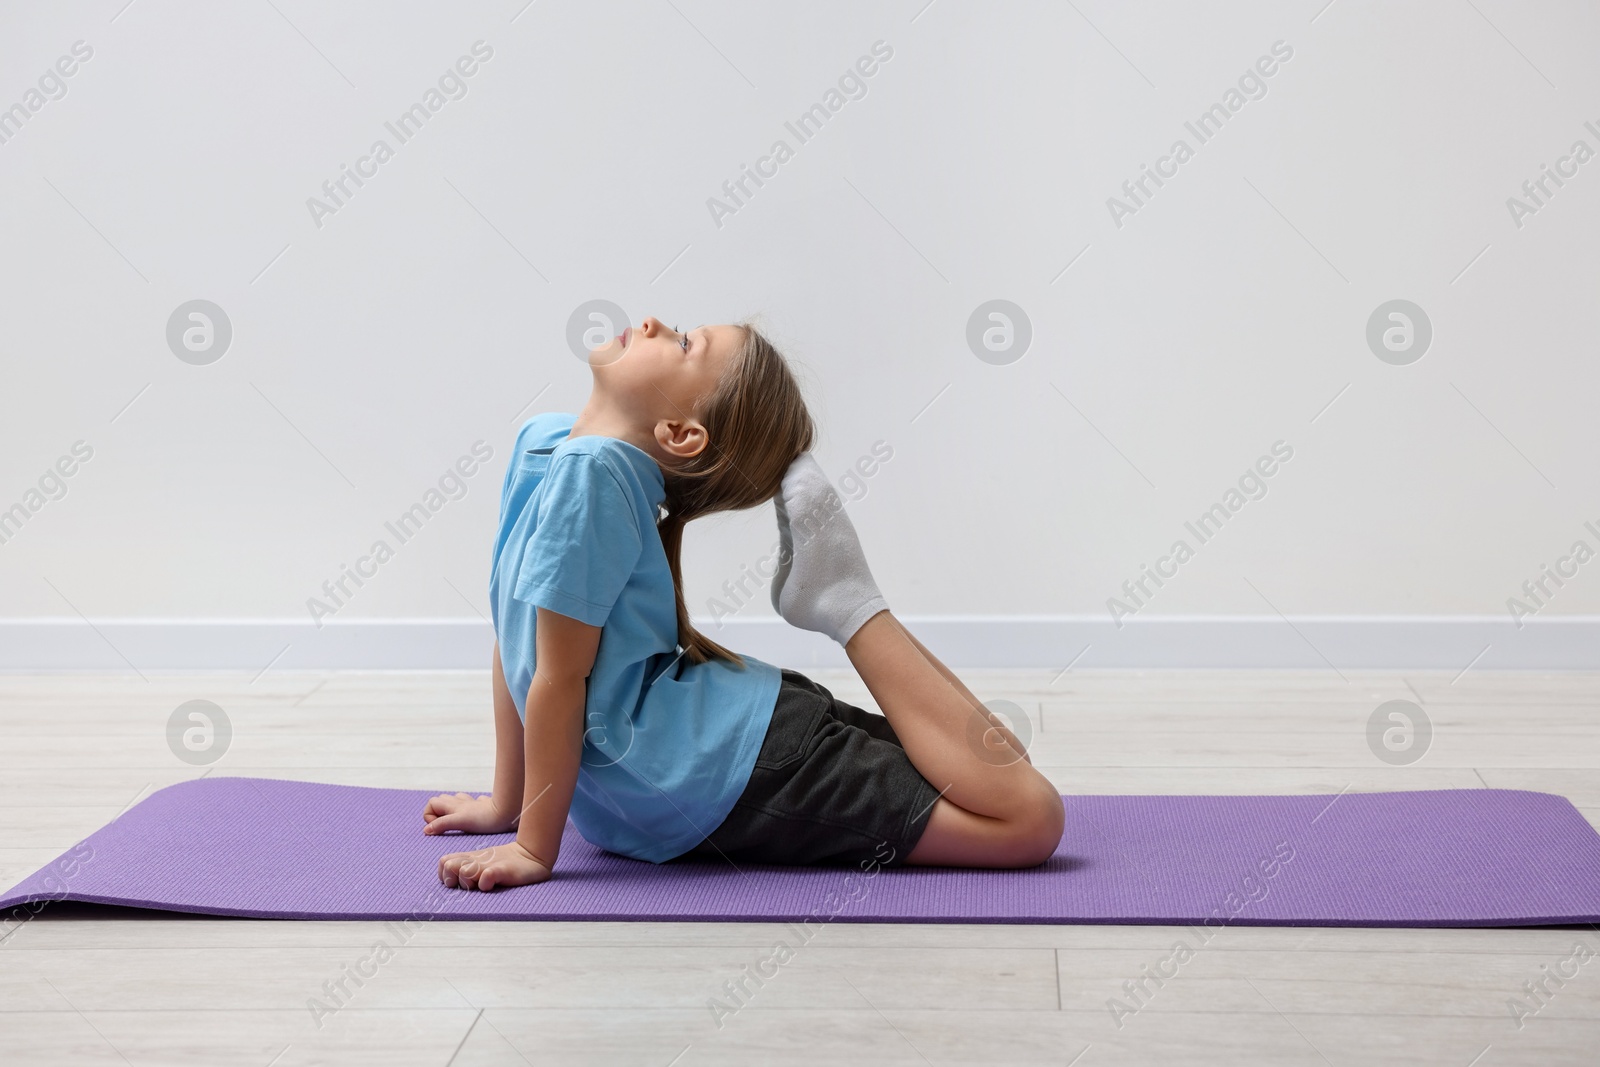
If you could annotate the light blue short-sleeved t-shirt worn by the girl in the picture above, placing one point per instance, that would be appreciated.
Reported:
(668, 745)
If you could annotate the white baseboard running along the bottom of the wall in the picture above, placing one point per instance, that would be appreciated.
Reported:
(1041, 642)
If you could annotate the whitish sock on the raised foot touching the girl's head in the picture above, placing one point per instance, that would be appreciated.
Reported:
(823, 580)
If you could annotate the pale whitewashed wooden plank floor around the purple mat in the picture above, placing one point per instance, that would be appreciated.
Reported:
(94, 986)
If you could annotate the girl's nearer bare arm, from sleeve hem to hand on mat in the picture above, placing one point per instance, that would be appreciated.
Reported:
(553, 748)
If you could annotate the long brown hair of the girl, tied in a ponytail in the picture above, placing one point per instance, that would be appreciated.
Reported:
(758, 425)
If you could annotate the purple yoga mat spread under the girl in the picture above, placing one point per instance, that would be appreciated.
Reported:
(260, 847)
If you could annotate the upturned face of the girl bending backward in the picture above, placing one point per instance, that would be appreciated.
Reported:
(654, 372)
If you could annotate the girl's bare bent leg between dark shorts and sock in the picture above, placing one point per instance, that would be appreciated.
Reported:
(994, 809)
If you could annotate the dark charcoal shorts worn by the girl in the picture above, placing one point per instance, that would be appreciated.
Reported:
(831, 786)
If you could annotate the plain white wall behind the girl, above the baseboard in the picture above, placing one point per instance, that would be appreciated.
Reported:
(1222, 318)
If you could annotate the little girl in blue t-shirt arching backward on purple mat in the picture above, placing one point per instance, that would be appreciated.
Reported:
(657, 741)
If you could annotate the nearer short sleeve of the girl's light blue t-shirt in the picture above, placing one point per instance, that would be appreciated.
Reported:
(586, 541)
